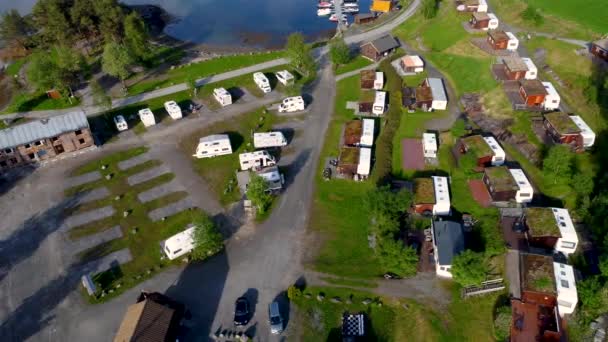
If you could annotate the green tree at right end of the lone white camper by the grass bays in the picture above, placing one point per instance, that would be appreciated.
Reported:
(207, 238)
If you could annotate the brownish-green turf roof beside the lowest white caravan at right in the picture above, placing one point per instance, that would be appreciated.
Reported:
(537, 273)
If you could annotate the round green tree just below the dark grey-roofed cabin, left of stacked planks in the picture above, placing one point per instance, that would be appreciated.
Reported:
(469, 268)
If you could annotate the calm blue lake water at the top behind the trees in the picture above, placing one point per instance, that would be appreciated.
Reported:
(233, 22)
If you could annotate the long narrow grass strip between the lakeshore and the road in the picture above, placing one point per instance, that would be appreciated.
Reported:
(210, 67)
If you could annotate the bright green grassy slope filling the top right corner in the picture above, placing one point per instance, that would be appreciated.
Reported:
(582, 19)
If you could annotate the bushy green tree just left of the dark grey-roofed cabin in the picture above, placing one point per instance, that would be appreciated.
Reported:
(397, 258)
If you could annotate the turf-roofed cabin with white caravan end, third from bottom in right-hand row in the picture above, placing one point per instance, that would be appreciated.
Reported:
(505, 184)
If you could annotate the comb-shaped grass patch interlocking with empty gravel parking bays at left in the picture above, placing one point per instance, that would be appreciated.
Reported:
(140, 234)
